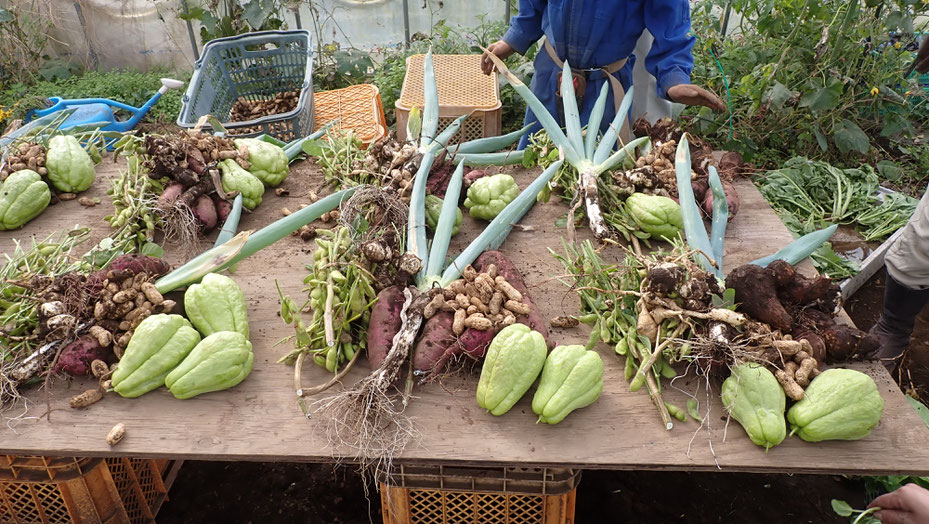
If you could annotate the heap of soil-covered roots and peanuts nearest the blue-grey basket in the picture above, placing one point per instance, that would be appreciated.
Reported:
(188, 159)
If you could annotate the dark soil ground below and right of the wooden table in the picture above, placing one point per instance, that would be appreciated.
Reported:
(261, 492)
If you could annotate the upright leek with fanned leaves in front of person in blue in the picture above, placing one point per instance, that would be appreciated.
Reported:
(589, 161)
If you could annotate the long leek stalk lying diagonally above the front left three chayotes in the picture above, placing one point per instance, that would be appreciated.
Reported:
(244, 244)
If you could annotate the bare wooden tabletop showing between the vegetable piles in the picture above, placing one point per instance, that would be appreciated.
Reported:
(259, 420)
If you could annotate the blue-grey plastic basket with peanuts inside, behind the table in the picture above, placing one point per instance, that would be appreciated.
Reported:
(254, 66)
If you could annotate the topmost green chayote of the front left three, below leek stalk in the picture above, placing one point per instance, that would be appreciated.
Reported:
(216, 304)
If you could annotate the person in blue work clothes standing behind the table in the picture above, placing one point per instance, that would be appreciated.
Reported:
(597, 38)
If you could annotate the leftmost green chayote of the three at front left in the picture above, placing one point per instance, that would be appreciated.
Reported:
(157, 346)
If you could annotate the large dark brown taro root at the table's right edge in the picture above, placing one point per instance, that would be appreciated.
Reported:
(802, 307)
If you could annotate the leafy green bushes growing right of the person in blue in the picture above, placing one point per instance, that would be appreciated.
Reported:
(821, 79)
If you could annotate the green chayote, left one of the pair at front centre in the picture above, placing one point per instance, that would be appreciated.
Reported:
(513, 361)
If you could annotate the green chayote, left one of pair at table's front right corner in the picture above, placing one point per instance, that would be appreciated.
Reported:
(754, 397)
